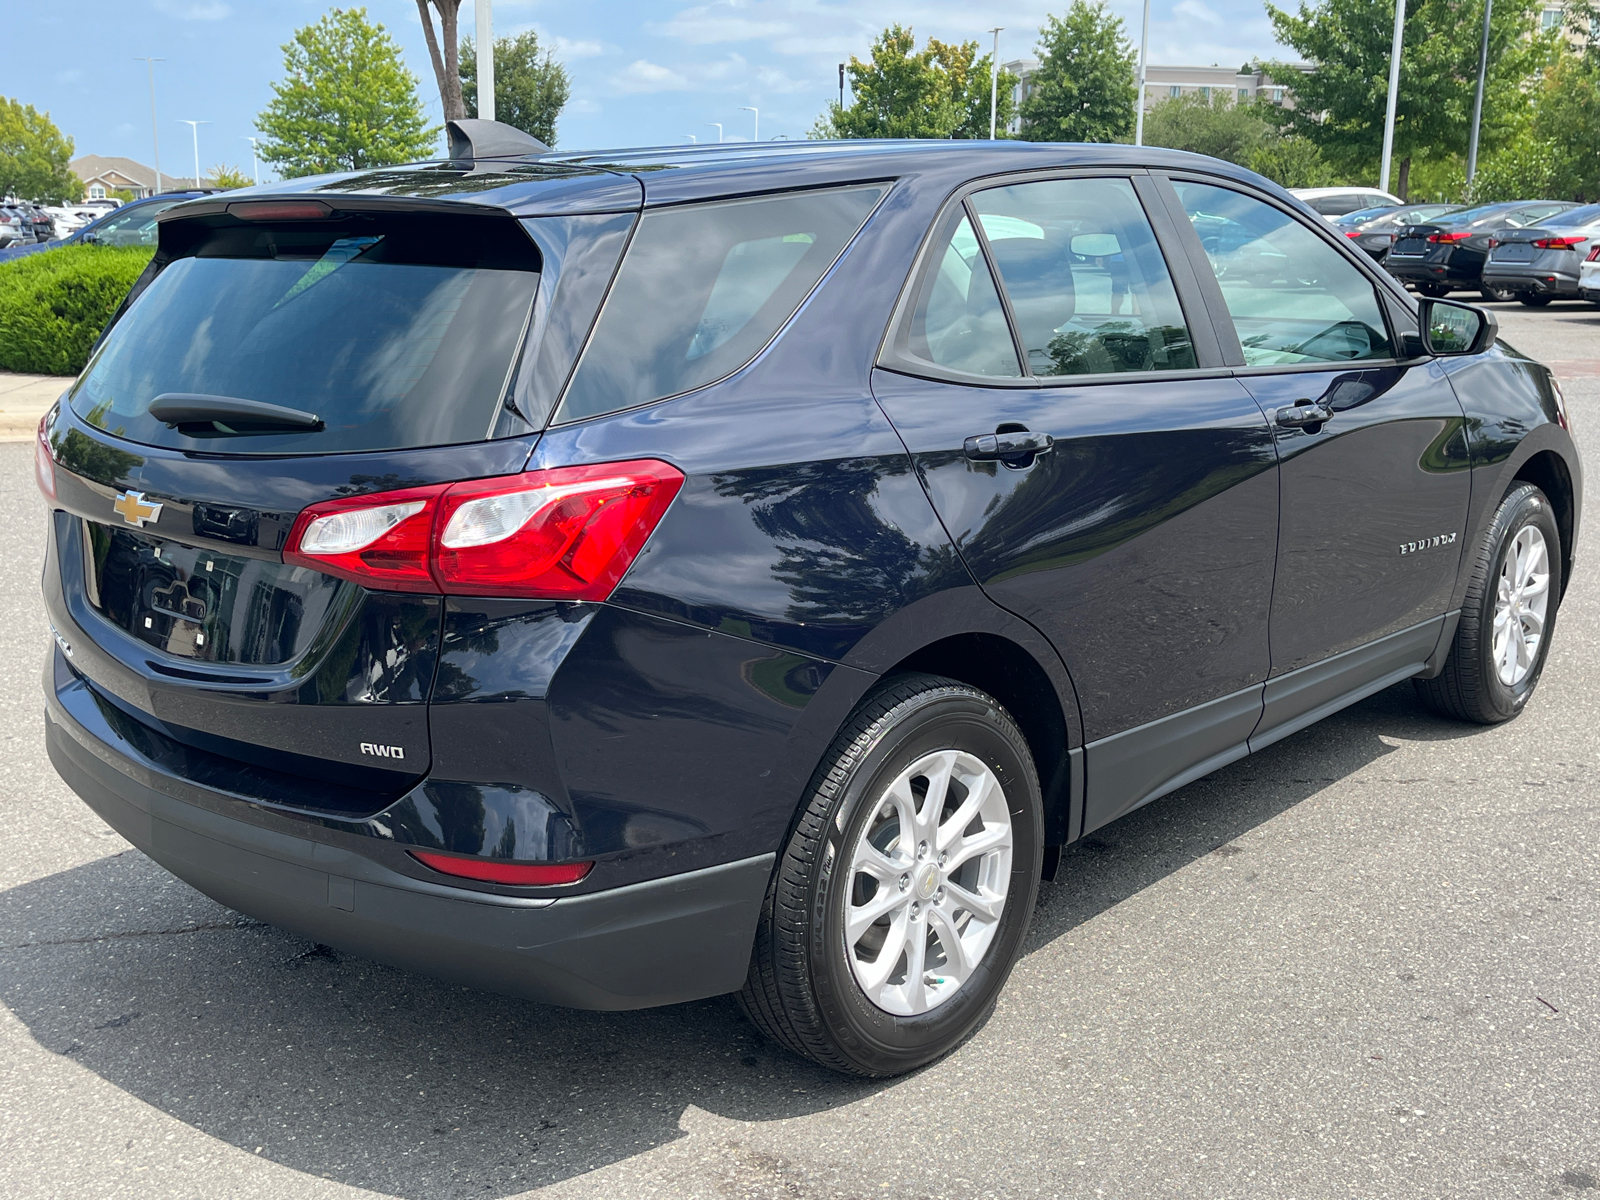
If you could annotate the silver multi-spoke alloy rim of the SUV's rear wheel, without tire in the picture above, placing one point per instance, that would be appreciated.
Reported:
(930, 874)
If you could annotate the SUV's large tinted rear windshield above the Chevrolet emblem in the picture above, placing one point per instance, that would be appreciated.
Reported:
(394, 332)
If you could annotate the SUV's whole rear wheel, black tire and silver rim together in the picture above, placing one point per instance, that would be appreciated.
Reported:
(902, 898)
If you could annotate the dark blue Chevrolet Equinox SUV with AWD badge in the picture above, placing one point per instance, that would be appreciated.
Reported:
(638, 577)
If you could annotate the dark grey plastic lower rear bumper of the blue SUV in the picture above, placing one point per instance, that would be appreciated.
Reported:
(665, 942)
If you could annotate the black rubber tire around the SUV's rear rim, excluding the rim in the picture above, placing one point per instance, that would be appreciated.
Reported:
(801, 990)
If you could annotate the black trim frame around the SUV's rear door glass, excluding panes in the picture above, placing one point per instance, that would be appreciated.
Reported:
(1191, 300)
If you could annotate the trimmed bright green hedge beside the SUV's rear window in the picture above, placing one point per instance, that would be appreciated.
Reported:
(55, 305)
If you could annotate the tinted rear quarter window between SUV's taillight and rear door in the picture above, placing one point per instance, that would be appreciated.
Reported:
(703, 289)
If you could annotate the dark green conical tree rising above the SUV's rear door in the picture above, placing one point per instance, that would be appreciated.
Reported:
(1086, 86)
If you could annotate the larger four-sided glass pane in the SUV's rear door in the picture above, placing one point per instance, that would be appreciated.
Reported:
(1089, 287)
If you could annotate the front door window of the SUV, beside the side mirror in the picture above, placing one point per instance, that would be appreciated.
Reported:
(1294, 298)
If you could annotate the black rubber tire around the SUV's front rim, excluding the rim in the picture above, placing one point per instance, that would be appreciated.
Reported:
(1470, 689)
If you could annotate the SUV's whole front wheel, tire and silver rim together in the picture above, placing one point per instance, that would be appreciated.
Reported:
(1506, 618)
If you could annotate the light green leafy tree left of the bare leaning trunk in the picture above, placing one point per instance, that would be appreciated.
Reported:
(348, 102)
